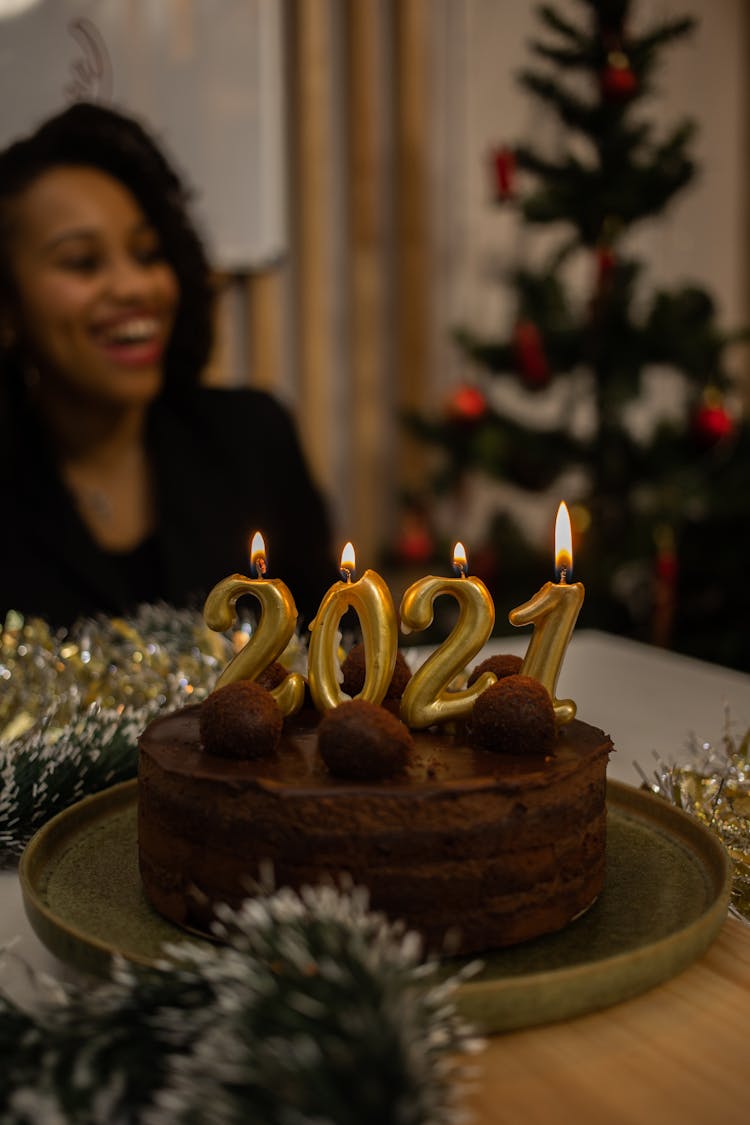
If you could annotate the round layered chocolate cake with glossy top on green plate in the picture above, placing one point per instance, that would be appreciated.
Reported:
(473, 848)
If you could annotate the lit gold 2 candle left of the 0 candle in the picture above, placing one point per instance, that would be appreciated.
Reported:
(273, 634)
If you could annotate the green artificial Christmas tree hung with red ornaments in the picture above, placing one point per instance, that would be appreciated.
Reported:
(661, 508)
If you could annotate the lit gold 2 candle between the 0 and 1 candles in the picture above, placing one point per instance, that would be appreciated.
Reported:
(427, 699)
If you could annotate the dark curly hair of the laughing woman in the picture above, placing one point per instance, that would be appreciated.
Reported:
(101, 138)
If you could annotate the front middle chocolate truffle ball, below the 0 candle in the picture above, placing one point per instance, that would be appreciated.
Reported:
(364, 742)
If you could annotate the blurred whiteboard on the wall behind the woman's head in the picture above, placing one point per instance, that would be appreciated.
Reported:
(204, 76)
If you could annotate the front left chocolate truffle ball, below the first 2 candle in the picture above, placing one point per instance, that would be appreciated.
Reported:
(241, 721)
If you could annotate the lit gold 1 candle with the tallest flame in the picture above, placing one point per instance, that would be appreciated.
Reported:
(554, 611)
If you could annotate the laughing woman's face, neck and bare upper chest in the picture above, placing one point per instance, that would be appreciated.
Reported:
(96, 304)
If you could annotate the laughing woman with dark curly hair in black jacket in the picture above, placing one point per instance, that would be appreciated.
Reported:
(122, 481)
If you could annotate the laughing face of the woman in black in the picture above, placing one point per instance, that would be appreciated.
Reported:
(96, 296)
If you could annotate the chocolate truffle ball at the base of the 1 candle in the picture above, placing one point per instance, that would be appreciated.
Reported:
(516, 716)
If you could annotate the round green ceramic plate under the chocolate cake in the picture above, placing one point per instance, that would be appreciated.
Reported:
(666, 897)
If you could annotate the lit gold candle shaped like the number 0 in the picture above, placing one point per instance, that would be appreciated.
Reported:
(372, 601)
